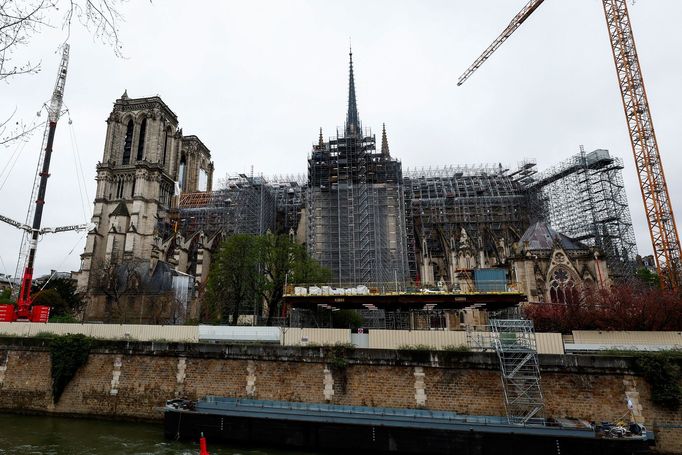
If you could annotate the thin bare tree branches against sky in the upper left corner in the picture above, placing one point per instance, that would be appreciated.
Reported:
(21, 20)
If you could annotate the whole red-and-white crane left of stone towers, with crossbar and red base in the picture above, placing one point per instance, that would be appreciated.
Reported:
(24, 310)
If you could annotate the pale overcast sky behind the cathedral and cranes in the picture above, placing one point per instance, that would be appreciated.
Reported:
(256, 80)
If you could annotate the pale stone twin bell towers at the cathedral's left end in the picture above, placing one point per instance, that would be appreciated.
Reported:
(146, 163)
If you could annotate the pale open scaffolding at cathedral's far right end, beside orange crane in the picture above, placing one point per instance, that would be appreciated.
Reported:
(584, 198)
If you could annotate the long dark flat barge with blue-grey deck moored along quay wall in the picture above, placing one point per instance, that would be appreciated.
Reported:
(335, 428)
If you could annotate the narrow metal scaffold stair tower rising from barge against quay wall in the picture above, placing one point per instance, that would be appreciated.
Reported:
(514, 341)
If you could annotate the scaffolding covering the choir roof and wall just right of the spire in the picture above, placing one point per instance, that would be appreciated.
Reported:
(485, 205)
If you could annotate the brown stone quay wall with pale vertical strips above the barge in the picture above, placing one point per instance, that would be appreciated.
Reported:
(131, 380)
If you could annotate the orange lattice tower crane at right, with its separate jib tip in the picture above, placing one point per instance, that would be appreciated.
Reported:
(659, 211)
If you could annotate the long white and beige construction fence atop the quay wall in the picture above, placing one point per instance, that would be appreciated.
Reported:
(547, 343)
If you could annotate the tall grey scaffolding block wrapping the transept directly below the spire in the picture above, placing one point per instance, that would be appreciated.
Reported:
(355, 213)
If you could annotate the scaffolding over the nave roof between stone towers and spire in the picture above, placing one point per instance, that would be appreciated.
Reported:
(245, 205)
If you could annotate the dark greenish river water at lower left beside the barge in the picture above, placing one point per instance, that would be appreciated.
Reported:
(44, 435)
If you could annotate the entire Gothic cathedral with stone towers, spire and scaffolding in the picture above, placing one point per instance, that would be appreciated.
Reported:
(474, 228)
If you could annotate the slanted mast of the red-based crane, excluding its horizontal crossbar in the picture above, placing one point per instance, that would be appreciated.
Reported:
(54, 112)
